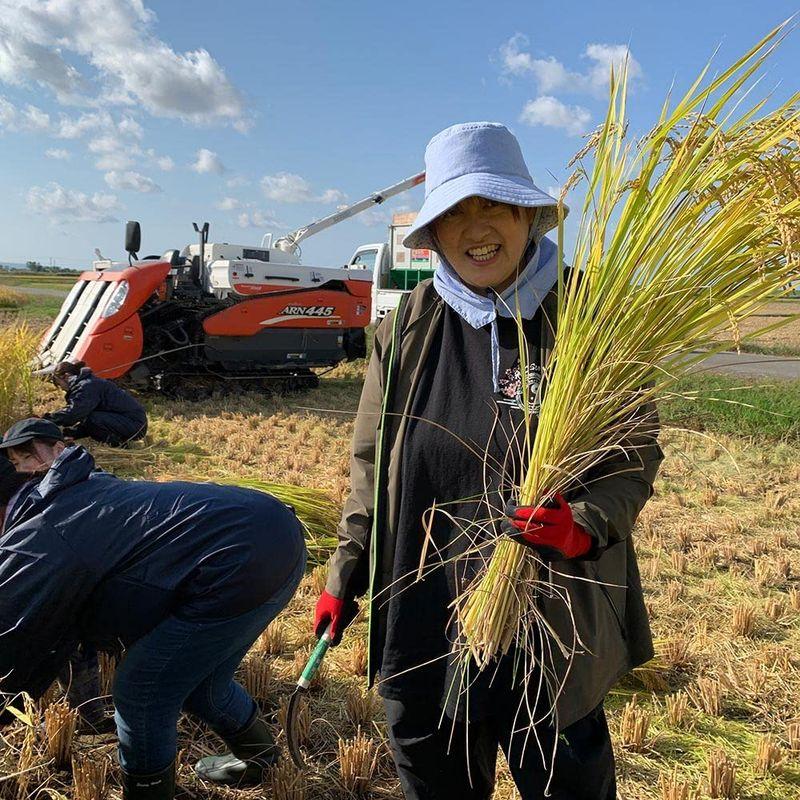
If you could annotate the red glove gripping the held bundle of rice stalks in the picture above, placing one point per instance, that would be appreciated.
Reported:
(549, 528)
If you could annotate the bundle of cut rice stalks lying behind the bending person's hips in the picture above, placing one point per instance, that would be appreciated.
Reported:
(316, 511)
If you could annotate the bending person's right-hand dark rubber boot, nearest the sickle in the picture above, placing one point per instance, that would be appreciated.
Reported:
(252, 750)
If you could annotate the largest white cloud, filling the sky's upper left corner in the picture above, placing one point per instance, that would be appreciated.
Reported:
(125, 62)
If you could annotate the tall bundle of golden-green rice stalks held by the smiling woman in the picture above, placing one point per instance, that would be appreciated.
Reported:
(689, 230)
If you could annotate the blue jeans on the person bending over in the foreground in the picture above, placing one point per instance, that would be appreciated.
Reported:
(189, 666)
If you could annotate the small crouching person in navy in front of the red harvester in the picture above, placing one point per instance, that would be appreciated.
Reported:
(96, 407)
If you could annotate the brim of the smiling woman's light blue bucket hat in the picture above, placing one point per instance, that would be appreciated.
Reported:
(493, 187)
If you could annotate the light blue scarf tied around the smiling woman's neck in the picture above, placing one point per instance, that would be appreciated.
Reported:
(525, 294)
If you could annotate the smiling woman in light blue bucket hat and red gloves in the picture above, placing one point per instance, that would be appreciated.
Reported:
(450, 356)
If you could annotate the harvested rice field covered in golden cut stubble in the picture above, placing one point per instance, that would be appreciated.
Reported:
(715, 714)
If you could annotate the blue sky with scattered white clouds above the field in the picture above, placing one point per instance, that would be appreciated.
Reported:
(260, 116)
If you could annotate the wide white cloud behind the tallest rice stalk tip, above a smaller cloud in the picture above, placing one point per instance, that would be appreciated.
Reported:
(552, 76)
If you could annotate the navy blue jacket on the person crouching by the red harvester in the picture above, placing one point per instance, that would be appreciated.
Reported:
(87, 394)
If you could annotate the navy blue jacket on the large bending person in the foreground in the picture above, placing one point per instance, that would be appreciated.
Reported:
(87, 557)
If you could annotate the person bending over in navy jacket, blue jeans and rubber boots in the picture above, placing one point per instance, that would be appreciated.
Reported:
(185, 575)
